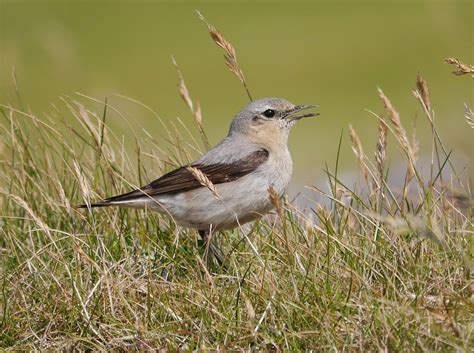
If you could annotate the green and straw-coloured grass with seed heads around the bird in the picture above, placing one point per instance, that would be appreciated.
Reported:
(376, 268)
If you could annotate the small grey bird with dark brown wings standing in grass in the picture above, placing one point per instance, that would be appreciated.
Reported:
(253, 158)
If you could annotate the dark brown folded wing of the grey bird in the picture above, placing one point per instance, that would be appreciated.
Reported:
(181, 179)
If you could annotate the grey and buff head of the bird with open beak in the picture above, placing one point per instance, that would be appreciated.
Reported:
(269, 119)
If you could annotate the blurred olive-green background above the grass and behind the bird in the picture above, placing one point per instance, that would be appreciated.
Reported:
(332, 53)
